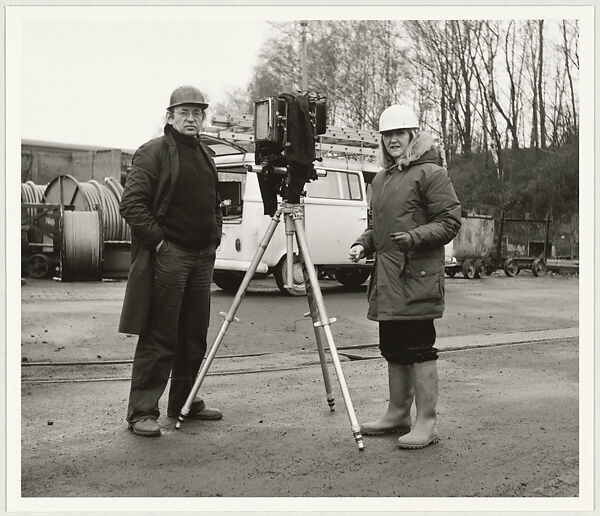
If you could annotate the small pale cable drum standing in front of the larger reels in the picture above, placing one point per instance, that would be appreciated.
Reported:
(81, 254)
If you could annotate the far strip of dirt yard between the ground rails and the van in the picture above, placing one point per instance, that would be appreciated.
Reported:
(67, 321)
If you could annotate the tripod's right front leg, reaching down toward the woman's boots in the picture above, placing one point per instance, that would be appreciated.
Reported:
(325, 324)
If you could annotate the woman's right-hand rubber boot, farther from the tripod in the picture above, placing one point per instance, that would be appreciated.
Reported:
(424, 431)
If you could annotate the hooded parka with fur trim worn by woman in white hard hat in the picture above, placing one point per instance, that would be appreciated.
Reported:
(418, 199)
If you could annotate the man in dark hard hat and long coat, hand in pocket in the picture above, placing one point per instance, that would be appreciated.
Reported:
(171, 203)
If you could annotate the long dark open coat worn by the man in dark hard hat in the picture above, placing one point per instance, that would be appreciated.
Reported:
(146, 197)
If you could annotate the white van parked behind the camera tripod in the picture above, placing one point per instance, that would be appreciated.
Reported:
(335, 215)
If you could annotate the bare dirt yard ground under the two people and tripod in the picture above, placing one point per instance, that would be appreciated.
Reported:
(508, 413)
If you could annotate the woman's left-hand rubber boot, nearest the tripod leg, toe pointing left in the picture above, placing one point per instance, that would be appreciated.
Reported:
(397, 417)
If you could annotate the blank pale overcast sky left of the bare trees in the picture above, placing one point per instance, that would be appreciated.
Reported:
(107, 83)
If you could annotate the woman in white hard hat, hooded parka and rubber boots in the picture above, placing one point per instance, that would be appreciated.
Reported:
(415, 212)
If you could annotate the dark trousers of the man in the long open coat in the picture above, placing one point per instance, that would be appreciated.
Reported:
(175, 339)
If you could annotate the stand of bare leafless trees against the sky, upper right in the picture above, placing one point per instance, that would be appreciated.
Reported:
(473, 83)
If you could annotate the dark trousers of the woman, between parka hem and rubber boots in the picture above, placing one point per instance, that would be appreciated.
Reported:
(407, 342)
